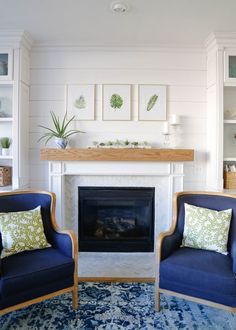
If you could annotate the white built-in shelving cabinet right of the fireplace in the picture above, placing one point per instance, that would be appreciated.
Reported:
(221, 107)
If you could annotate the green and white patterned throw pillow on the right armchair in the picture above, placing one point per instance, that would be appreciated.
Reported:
(206, 229)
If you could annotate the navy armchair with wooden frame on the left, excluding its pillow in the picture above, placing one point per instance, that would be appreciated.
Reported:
(32, 276)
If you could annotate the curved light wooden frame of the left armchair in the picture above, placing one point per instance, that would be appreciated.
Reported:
(73, 289)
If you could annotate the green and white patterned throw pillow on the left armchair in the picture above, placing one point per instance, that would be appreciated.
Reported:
(22, 231)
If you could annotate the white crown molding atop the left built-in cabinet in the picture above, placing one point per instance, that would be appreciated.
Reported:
(15, 38)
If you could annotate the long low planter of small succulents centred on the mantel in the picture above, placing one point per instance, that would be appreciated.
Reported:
(122, 144)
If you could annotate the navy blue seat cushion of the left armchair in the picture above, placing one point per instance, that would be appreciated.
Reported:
(33, 271)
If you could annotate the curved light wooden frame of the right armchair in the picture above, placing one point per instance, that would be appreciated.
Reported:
(158, 254)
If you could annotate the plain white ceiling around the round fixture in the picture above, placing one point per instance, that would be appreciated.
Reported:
(91, 22)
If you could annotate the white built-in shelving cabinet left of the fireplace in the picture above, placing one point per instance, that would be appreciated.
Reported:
(14, 105)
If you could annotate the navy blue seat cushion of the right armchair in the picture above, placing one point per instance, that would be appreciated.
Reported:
(199, 273)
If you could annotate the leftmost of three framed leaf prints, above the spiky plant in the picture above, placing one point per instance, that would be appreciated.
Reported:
(80, 101)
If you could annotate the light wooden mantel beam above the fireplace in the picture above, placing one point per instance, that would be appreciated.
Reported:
(117, 154)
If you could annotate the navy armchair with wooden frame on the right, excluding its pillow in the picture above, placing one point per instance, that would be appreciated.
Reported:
(202, 276)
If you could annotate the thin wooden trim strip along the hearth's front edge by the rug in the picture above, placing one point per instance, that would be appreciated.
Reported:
(118, 279)
